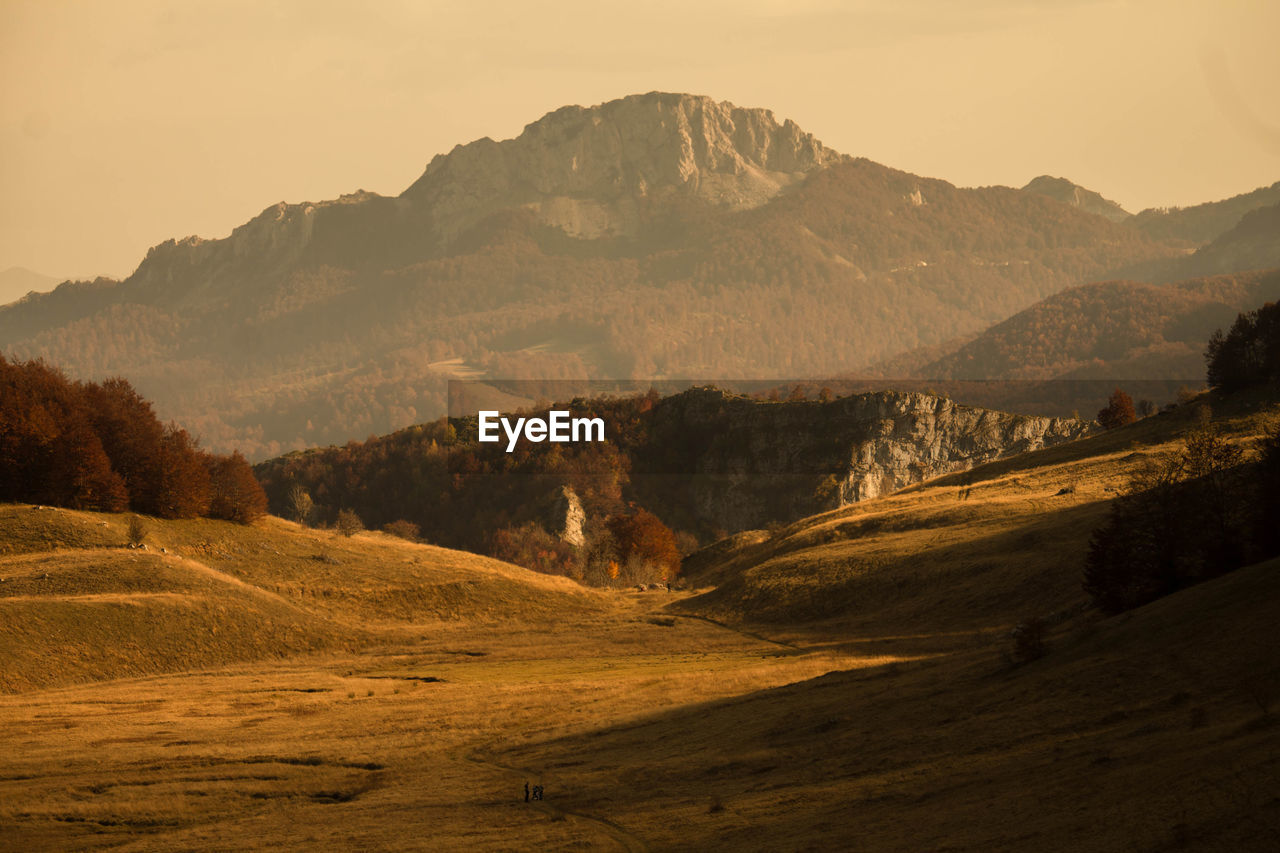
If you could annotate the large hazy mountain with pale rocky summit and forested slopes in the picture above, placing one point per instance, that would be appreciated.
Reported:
(653, 236)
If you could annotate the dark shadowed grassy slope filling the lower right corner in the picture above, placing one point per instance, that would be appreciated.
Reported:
(1150, 733)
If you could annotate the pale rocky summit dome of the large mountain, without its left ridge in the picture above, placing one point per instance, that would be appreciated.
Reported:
(589, 171)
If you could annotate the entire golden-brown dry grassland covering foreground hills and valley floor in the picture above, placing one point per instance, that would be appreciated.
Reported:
(839, 685)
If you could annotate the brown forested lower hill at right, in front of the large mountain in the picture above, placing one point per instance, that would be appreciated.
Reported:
(1110, 330)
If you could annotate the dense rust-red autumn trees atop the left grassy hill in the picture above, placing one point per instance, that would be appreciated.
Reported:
(100, 446)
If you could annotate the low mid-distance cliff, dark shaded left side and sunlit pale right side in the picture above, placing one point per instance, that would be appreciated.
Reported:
(757, 463)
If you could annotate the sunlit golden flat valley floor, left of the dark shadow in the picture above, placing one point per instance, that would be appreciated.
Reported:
(401, 747)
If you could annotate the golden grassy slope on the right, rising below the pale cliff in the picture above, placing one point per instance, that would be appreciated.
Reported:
(967, 553)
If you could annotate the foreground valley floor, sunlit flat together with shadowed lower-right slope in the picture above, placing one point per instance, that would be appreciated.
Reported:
(1142, 735)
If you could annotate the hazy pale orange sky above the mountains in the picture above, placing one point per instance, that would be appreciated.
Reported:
(130, 122)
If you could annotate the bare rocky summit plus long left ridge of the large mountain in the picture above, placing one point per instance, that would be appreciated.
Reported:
(591, 172)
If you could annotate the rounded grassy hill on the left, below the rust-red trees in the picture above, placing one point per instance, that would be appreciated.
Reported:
(79, 605)
